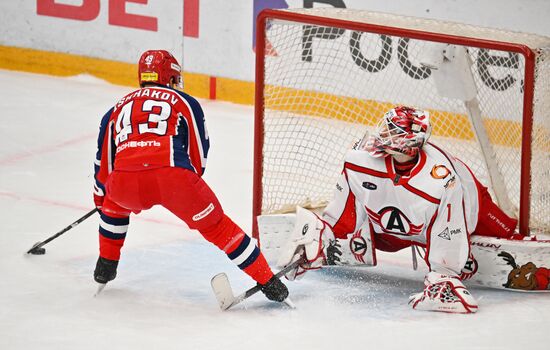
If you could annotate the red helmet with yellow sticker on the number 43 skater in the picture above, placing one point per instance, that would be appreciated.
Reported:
(159, 67)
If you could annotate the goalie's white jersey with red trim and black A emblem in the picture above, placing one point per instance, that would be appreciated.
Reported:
(435, 207)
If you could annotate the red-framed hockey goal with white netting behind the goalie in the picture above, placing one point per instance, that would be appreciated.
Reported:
(325, 76)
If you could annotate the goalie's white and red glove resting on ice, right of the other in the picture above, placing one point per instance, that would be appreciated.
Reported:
(443, 293)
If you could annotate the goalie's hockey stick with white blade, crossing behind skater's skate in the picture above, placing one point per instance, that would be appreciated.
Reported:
(224, 293)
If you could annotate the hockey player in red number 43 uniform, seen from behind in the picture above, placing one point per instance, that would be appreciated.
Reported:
(152, 149)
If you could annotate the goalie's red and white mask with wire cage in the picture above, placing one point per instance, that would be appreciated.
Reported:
(402, 130)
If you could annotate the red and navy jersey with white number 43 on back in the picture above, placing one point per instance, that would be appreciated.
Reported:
(149, 128)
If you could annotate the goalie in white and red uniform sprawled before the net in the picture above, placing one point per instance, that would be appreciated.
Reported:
(398, 190)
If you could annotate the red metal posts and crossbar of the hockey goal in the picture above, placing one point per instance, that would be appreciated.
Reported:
(529, 83)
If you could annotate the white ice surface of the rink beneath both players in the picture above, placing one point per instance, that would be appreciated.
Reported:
(161, 298)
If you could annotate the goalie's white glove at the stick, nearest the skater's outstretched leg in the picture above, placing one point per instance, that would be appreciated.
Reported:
(309, 240)
